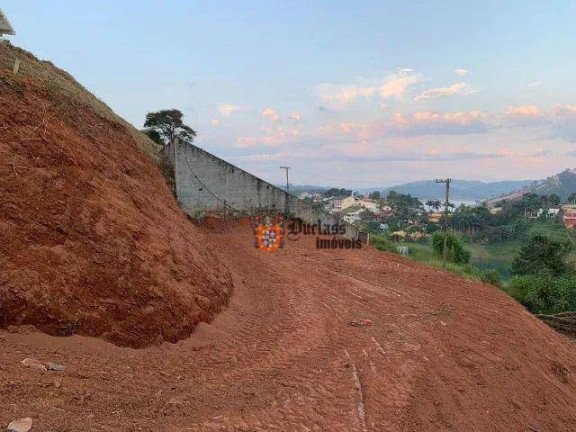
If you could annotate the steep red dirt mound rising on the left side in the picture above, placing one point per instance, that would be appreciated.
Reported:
(91, 240)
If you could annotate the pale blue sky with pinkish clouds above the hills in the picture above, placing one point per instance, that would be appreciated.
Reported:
(357, 94)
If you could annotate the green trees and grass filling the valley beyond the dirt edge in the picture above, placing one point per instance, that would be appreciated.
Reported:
(523, 248)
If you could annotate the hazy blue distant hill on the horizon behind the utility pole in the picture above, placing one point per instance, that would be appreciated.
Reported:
(463, 190)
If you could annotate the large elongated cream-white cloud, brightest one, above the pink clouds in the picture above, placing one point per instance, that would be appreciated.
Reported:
(391, 86)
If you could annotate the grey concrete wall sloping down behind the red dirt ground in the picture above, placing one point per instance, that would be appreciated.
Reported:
(206, 183)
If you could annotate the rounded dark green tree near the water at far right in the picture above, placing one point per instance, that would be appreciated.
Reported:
(542, 255)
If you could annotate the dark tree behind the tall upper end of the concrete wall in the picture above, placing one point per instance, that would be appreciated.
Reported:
(166, 125)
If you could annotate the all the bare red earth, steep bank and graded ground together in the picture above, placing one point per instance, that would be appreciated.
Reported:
(94, 246)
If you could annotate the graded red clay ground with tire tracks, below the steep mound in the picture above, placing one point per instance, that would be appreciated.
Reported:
(440, 353)
